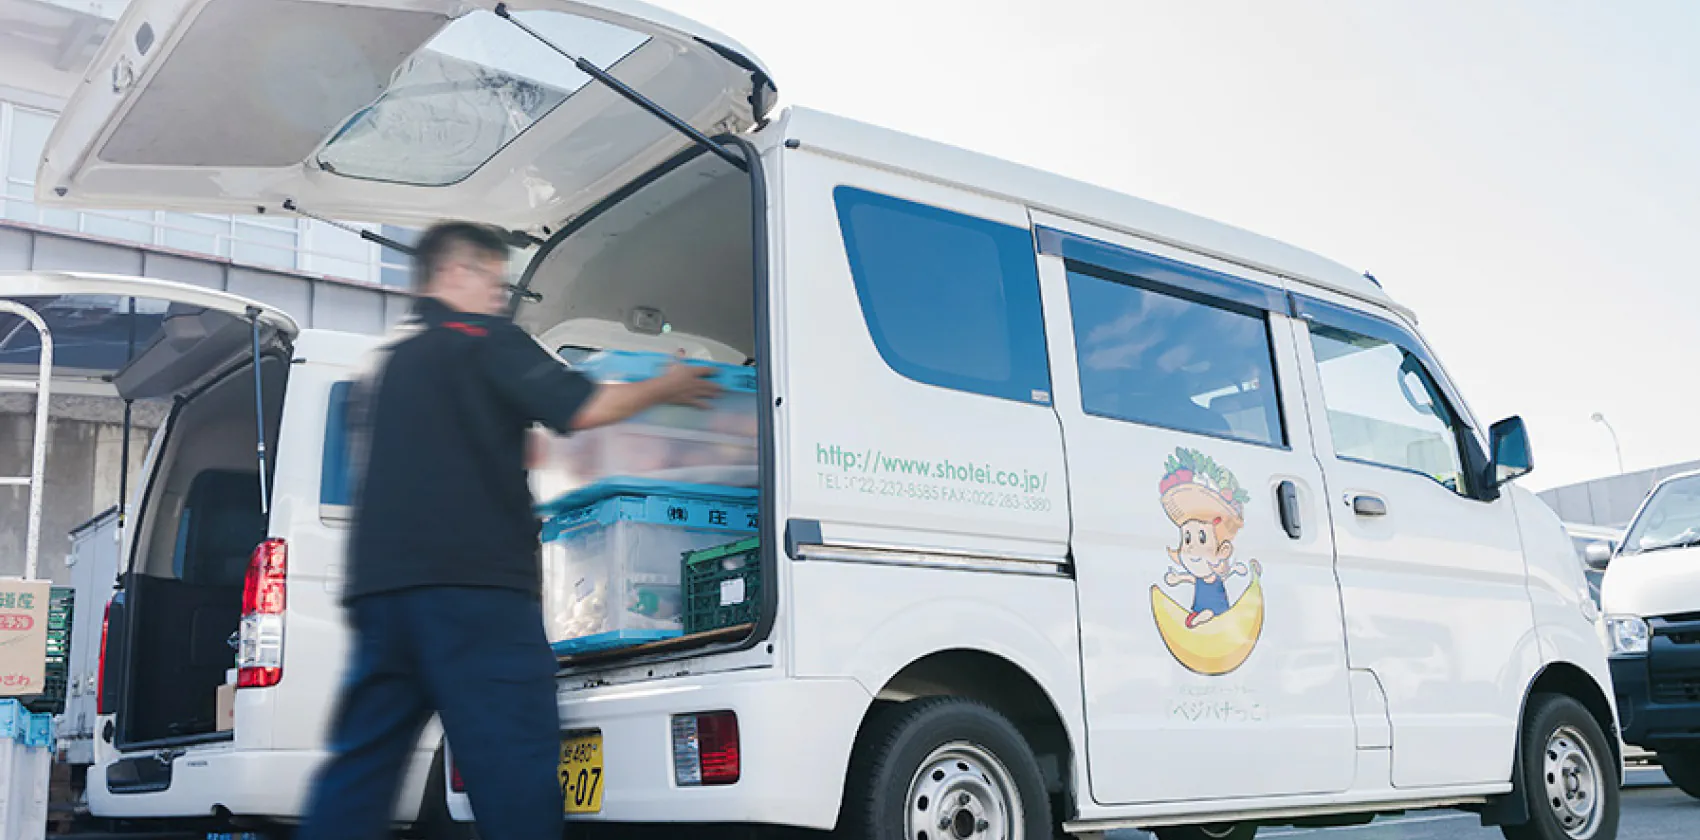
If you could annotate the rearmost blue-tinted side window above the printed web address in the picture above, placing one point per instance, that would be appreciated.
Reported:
(949, 300)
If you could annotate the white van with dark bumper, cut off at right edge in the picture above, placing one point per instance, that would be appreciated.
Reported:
(1652, 603)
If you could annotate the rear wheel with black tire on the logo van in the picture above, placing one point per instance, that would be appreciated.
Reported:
(990, 764)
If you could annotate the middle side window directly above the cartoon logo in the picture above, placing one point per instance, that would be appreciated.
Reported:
(1170, 361)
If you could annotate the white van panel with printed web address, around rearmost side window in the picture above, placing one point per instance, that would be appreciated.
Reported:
(873, 479)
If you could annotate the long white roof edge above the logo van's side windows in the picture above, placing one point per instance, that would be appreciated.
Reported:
(1051, 193)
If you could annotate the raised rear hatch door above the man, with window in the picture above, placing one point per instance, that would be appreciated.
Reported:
(400, 111)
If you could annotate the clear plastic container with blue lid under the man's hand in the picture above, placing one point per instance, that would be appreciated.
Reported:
(710, 446)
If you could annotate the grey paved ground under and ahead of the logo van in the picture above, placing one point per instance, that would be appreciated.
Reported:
(1652, 812)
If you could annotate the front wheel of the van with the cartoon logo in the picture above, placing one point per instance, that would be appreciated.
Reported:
(1558, 730)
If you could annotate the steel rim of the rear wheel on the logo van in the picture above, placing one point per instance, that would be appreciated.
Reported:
(963, 793)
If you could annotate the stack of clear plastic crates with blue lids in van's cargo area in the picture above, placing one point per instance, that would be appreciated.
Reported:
(632, 501)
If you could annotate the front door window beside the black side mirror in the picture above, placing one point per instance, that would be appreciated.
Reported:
(1385, 407)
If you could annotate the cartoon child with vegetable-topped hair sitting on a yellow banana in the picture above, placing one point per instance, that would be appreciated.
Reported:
(1208, 508)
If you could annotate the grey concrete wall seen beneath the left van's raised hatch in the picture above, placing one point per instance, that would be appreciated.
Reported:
(86, 443)
